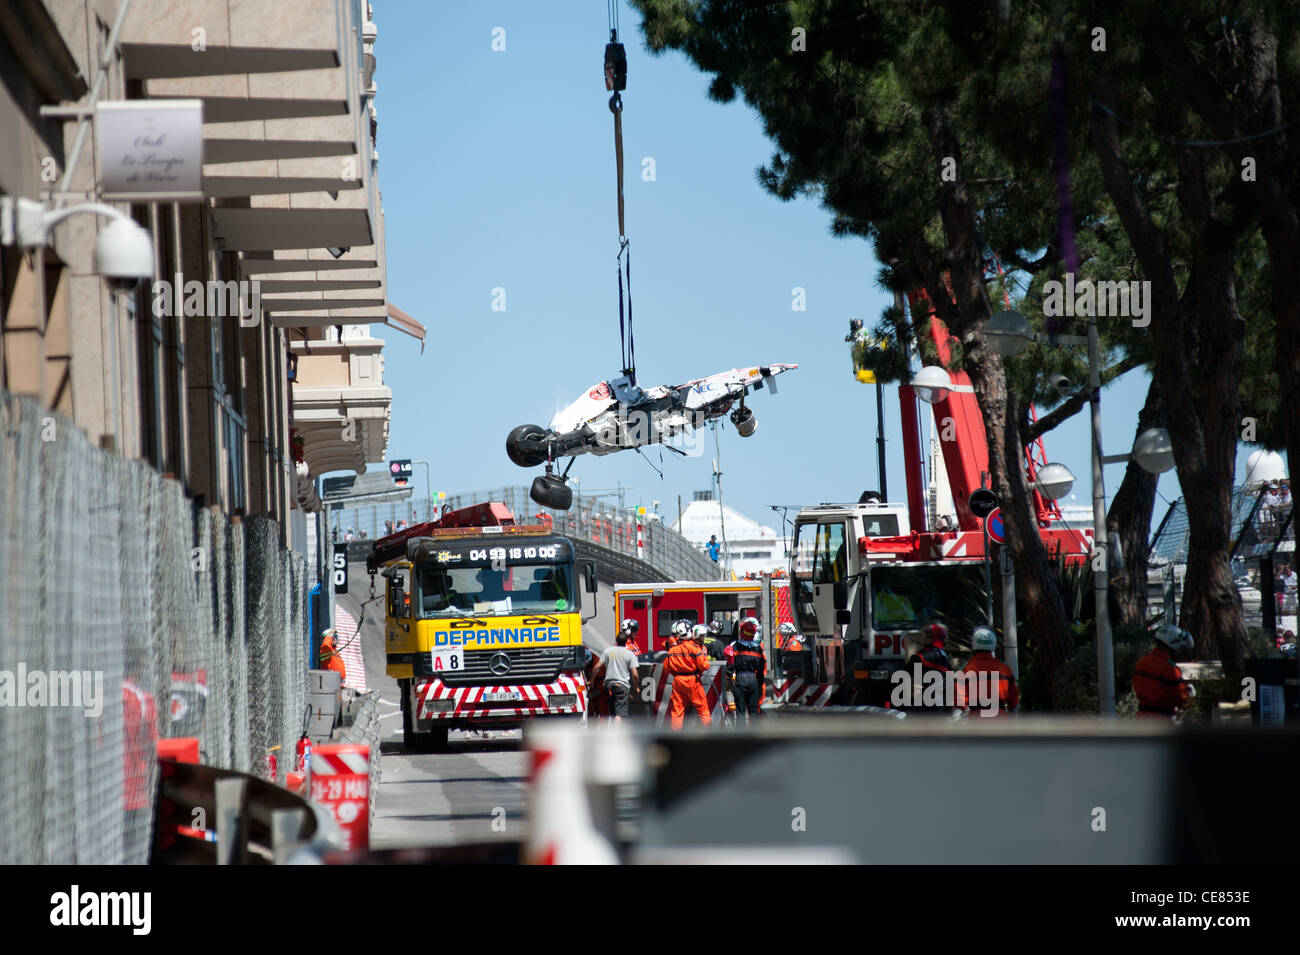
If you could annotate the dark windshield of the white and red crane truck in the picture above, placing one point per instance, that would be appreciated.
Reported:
(909, 597)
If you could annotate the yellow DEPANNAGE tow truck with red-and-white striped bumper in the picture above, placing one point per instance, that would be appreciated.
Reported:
(484, 624)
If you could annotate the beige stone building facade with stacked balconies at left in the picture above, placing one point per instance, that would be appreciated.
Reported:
(244, 411)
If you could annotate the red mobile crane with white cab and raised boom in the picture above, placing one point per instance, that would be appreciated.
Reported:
(860, 583)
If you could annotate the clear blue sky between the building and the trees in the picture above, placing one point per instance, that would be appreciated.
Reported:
(497, 171)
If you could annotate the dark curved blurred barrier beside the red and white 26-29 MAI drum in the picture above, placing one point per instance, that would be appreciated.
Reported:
(218, 817)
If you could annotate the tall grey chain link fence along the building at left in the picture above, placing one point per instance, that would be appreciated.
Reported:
(129, 615)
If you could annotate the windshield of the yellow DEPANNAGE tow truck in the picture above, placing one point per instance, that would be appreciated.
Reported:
(458, 592)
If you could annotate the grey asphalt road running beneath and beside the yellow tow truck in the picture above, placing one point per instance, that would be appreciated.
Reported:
(473, 793)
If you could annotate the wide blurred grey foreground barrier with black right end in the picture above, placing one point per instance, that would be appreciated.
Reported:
(973, 792)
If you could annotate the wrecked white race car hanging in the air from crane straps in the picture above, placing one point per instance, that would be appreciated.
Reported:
(619, 415)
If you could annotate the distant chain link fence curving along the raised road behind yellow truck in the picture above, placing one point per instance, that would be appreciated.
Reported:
(590, 519)
